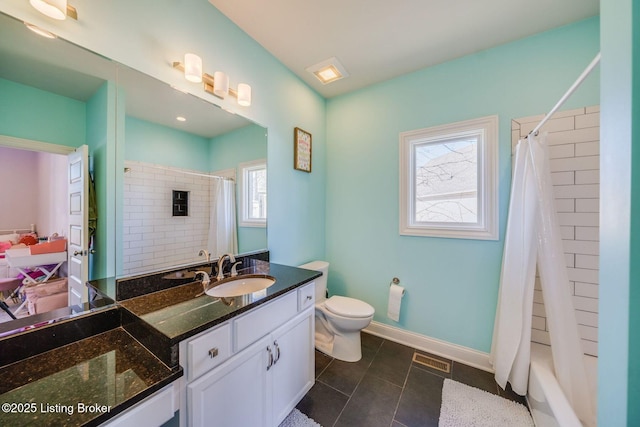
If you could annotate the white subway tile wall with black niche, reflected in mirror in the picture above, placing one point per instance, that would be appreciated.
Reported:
(153, 239)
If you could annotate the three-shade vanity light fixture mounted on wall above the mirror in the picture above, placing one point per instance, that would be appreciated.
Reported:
(217, 85)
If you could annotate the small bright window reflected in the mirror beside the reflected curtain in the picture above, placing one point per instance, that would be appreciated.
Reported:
(253, 194)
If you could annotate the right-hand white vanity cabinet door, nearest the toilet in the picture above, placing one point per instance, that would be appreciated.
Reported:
(293, 372)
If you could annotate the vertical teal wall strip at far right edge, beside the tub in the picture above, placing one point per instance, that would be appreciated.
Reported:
(619, 338)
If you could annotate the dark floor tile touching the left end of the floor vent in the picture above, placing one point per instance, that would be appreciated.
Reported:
(392, 362)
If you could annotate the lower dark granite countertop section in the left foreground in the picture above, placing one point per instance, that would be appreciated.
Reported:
(82, 383)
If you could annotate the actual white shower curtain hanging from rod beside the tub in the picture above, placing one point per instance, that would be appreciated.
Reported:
(533, 233)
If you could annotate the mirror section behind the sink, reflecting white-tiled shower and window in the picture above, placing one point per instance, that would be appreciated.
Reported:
(194, 178)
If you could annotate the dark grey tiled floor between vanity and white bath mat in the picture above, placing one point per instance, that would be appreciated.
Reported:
(385, 388)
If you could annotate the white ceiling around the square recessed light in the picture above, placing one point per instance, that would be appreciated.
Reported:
(380, 39)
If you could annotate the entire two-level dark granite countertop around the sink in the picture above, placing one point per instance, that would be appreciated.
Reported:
(115, 358)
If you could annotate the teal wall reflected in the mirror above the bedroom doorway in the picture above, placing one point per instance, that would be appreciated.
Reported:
(30, 113)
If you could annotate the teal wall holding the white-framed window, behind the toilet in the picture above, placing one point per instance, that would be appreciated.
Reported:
(451, 283)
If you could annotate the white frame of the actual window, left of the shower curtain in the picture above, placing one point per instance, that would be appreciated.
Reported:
(487, 180)
